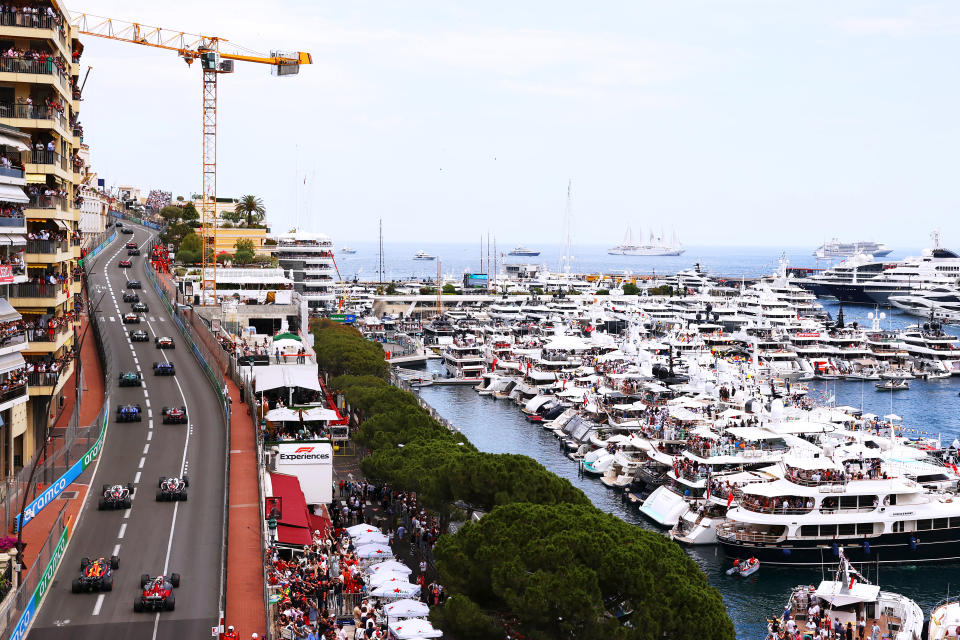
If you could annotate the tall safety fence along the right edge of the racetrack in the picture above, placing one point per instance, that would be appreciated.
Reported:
(185, 326)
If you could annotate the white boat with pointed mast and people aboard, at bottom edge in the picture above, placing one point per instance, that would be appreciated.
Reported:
(850, 598)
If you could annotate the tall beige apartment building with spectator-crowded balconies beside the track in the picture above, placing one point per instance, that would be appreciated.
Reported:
(39, 98)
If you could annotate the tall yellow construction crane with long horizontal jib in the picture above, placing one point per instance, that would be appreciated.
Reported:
(216, 56)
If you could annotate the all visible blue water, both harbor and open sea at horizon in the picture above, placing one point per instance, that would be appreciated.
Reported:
(928, 407)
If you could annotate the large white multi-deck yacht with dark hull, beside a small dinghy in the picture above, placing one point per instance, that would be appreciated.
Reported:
(889, 507)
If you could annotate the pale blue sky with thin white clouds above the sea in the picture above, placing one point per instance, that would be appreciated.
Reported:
(747, 123)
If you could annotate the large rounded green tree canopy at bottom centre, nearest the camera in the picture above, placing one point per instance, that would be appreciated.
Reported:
(573, 571)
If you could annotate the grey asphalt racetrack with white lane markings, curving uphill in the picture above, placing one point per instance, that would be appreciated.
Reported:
(151, 537)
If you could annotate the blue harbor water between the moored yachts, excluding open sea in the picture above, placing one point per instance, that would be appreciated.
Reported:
(499, 427)
